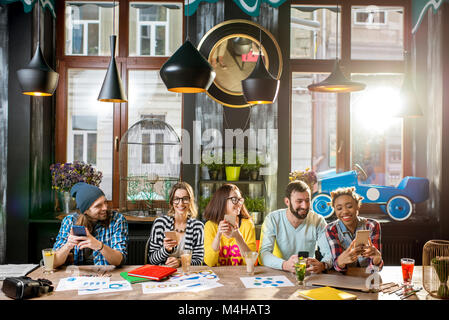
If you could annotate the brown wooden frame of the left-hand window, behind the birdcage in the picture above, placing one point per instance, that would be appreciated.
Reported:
(125, 63)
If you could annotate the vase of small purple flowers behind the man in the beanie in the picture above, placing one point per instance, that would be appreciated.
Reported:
(66, 175)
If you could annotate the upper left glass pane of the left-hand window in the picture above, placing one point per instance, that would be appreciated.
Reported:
(88, 27)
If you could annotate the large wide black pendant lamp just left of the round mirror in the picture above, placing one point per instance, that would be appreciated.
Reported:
(187, 71)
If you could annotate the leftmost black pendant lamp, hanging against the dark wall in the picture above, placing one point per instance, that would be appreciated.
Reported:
(37, 78)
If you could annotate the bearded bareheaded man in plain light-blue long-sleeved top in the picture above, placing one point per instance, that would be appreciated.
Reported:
(285, 232)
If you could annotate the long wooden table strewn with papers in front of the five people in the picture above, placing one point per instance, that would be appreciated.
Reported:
(232, 289)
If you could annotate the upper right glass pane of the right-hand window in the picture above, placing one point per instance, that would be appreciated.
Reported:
(377, 33)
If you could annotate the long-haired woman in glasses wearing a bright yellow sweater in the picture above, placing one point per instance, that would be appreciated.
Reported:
(224, 244)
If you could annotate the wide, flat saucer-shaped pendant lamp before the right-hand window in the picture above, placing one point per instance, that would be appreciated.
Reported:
(336, 82)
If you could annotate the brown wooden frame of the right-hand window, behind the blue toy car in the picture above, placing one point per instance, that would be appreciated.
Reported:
(351, 66)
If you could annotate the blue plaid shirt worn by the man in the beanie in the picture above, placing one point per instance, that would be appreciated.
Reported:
(115, 236)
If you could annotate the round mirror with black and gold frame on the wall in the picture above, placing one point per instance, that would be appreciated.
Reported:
(232, 48)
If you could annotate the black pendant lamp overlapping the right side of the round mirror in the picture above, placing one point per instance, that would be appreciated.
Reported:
(260, 87)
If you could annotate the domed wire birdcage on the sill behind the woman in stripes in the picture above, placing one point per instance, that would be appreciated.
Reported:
(150, 163)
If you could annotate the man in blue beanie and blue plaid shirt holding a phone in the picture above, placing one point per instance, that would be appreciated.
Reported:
(106, 240)
